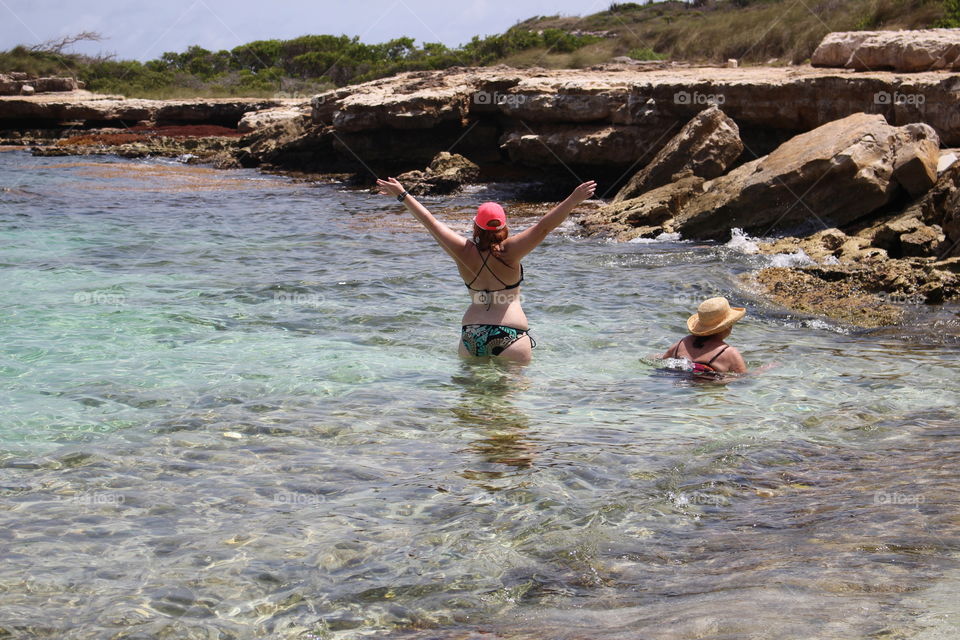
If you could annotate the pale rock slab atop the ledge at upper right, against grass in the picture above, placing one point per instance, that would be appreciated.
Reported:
(911, 51)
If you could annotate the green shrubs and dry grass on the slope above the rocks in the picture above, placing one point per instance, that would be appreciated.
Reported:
(753, 31)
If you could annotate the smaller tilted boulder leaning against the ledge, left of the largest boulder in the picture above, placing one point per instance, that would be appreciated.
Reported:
(707, 146)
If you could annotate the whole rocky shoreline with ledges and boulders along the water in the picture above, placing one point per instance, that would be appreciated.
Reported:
(840, 166)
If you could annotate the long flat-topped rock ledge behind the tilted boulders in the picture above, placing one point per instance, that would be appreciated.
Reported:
(611, 118)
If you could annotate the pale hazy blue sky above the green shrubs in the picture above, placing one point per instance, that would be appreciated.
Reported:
(143, 30)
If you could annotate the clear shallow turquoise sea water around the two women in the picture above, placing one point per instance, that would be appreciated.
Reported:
(234, 409)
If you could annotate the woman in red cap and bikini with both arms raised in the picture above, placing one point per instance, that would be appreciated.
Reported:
(489, 263)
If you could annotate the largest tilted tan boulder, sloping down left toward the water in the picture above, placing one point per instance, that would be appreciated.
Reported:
(831, 176)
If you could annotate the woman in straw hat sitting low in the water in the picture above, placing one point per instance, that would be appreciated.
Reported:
(704, 349)
